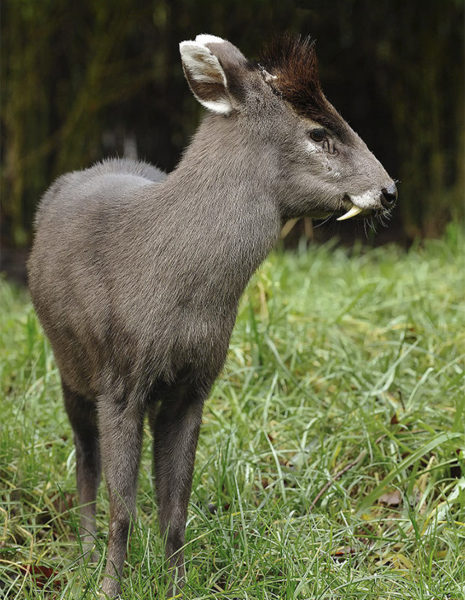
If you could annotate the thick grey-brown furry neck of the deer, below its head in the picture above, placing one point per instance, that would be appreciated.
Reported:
(225, 188)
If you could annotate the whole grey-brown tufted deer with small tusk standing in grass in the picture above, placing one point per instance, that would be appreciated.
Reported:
(136, 276)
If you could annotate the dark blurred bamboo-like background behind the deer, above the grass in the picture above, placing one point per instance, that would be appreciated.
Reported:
(96, 78)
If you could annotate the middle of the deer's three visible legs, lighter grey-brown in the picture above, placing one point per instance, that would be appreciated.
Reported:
(120, 423)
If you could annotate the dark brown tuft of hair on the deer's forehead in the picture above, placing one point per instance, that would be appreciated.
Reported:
(293, 61)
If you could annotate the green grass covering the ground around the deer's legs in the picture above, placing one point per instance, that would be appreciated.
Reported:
(333, 444)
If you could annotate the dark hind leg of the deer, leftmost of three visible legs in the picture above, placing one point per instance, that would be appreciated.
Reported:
(83, 418)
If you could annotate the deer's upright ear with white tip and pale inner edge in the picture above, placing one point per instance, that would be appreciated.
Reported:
(205, 74)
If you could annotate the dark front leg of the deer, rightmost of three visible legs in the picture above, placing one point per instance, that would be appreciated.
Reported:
(175, 428)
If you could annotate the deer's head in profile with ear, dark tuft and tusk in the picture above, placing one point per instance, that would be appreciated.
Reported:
(317, 165)
